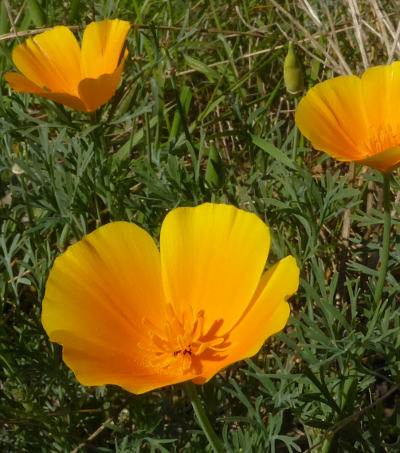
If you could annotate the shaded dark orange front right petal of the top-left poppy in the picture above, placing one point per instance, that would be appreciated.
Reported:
(96, 92)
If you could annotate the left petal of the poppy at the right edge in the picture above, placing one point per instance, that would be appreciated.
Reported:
(333, 118)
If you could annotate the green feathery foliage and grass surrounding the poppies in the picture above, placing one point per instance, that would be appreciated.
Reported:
(201, 115)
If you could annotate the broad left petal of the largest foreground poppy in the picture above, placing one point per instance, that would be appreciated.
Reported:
(97, 295)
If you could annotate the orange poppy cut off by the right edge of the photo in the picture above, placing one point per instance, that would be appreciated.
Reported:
(356, 119)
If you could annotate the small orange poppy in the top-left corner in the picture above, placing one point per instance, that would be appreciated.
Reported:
(53, 65)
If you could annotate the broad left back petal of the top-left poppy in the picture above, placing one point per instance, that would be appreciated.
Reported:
(50, 60)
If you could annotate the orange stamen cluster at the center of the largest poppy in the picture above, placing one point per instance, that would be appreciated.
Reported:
(181, 341)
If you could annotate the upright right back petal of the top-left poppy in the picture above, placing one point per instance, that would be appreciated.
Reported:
(102, 44)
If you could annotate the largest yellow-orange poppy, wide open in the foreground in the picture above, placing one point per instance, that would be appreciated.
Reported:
(129, 315)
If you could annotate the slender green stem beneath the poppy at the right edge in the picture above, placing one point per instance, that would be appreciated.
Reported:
(386, 238)
